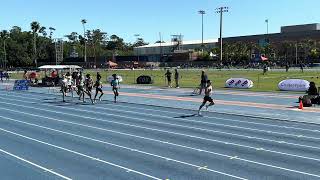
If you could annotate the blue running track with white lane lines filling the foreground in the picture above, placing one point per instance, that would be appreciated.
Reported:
(42, 138)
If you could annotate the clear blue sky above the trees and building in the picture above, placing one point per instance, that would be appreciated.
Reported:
(149, 18)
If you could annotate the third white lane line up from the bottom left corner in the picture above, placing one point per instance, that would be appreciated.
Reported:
(124, 147)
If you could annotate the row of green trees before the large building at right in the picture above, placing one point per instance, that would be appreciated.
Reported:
(291, 52)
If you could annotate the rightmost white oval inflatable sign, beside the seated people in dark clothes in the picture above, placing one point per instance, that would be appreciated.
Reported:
(294, 85)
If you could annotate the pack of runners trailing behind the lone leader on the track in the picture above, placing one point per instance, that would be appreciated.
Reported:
(84, 86)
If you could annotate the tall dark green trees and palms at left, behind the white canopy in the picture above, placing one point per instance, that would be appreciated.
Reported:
(20, 48)
